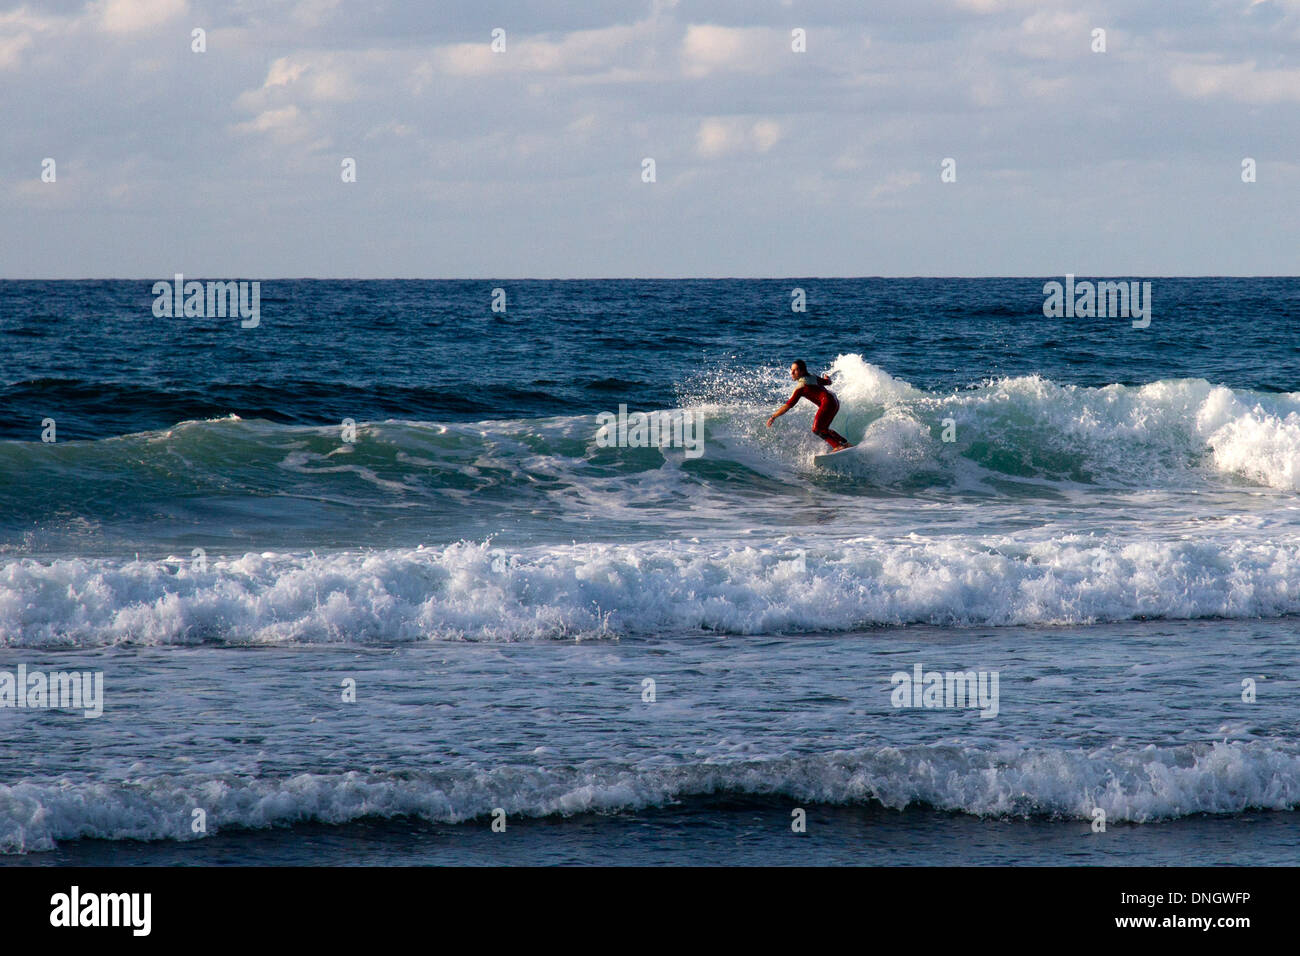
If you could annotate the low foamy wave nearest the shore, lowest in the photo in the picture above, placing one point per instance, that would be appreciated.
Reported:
(1132, 785)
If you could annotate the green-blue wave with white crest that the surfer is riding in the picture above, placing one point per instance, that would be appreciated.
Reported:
(1012, 436)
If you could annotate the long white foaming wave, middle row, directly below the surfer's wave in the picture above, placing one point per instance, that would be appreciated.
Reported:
(476, 592)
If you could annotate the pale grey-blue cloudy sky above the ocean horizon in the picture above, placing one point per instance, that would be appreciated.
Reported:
(769, 162)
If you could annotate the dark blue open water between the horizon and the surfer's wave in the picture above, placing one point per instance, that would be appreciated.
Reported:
(93, 356)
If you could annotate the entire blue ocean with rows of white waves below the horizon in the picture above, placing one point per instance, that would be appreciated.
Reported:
(375, 581)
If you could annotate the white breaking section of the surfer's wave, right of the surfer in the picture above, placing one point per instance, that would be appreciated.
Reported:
(1163, 434)
